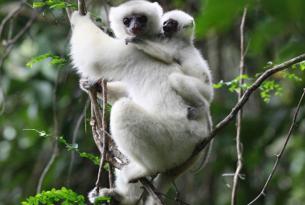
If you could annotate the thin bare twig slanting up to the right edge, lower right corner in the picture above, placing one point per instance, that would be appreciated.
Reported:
(279, 155)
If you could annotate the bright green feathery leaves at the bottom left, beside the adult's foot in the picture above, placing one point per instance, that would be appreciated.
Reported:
(62, 196)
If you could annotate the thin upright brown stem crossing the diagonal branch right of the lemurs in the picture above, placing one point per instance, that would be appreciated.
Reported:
(239, 115)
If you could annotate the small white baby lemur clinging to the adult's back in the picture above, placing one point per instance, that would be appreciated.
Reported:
(176, 45)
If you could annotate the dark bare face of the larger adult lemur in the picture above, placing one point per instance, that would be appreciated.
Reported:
(135, 24)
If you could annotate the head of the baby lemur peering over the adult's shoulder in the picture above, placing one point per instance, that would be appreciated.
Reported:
(178, 24)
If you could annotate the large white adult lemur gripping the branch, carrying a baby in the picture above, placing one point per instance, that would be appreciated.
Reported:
(151, 128)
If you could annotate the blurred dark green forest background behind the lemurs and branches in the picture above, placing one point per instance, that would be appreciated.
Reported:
(47, 98)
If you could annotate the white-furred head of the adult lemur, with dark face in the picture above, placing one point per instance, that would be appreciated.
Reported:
(136, 18)
